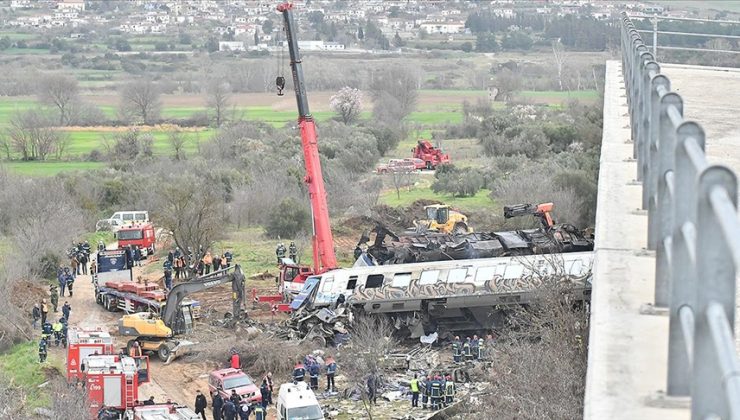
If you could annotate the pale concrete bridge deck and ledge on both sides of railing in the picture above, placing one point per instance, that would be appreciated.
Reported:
(628, 350)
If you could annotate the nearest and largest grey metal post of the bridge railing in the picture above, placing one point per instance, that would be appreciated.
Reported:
(716, 283)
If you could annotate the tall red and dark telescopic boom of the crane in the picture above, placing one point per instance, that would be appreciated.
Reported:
(323, 243)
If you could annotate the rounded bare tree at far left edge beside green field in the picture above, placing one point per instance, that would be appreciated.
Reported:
(31, 134)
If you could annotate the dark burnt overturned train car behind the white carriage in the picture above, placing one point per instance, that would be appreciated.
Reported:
(390, 249)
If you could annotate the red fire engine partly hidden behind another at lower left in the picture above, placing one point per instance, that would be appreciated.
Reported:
(85, 342)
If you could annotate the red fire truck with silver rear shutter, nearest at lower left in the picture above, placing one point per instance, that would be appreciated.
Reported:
(113, 381)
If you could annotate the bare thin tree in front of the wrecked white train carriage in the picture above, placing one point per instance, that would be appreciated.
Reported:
(371, 342)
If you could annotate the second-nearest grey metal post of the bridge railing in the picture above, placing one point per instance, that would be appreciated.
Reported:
(683, 258)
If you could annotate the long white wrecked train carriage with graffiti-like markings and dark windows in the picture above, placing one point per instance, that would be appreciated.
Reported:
(444, 296)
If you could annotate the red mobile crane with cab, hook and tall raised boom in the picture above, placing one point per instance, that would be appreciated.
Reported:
(293, 275)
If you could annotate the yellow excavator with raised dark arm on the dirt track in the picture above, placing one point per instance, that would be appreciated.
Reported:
(158, 333)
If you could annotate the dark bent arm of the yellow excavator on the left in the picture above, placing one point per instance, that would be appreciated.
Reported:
(217, 278)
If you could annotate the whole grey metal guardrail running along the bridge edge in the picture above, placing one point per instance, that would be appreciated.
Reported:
(693, 227)
